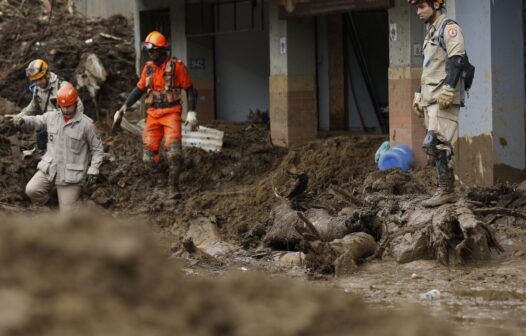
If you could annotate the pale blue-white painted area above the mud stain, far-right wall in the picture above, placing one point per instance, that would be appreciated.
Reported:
(494, 42)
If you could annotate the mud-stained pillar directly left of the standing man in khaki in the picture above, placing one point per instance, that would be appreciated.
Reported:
(405, 71)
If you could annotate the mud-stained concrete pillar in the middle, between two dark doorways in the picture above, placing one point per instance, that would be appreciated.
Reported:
(292, 83)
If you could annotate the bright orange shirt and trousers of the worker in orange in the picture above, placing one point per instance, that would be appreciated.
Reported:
(163, 121)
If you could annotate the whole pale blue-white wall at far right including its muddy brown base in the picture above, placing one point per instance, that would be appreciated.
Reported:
(491, 127)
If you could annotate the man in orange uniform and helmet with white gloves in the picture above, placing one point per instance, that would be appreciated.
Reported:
(162, 79)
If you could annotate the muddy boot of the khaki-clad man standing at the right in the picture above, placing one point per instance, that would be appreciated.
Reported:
(445, 192)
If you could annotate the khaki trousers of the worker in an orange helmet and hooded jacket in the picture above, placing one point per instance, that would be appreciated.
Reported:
(39, 187)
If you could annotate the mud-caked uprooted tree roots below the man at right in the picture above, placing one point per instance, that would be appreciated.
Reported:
(384, 226)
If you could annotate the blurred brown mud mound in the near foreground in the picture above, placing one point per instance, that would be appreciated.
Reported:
(90, 275)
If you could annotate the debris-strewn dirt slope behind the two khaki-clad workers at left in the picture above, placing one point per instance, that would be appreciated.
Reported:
(34, 29)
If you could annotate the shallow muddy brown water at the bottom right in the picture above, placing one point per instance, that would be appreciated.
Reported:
(491, 295)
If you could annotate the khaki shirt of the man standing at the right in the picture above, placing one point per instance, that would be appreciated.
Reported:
(434, 70)
